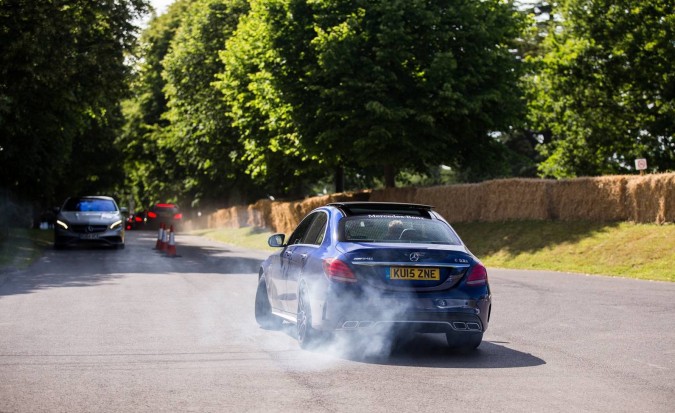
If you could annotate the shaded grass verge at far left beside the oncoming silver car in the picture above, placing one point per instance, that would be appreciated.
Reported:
(20, 247)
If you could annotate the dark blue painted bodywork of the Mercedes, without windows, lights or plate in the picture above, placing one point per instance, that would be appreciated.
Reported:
(448, 305)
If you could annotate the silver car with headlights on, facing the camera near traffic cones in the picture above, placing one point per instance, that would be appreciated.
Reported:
(89, 219)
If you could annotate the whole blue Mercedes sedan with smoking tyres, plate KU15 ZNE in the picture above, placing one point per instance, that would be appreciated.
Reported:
(374, 267)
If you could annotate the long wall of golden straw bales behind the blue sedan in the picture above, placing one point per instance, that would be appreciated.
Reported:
(643, 199)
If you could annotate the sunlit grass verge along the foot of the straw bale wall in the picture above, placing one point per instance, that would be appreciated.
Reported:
(621, 249)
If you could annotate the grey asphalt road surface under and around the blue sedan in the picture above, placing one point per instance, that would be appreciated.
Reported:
(95, 330)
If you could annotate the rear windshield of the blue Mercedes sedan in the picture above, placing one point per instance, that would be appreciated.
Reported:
(406, 229)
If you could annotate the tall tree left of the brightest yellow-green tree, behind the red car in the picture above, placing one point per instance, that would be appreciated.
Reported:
(206, 143)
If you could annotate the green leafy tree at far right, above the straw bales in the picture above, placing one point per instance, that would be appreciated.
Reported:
(606, 88)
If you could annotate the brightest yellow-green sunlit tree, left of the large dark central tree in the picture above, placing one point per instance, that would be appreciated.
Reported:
(274, 156)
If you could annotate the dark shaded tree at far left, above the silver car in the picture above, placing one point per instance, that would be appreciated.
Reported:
(63, 74)
